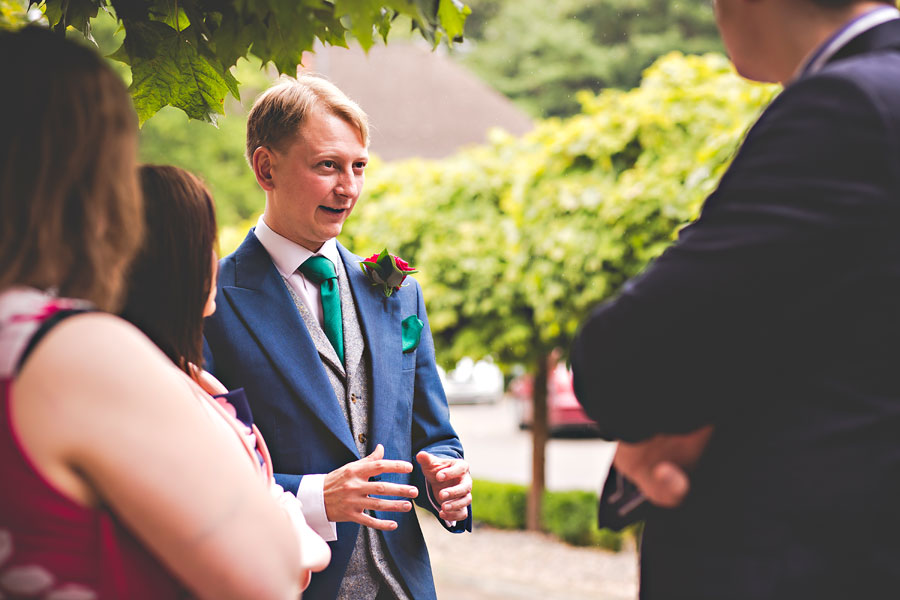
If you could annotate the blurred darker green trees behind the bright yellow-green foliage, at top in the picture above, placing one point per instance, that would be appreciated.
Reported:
(541, 54)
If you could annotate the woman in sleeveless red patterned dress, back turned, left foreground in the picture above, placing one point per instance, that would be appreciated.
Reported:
(116, 482)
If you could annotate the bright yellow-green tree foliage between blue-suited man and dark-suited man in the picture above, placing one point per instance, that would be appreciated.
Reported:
(518, 239)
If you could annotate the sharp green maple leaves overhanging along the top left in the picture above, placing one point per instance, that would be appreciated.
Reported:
(182, 53)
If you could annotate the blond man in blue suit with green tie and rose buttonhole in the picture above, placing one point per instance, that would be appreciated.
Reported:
(340, 373)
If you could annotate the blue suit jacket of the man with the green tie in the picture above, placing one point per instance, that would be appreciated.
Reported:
(257, 340)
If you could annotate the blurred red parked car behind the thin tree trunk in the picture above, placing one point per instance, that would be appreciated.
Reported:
(564, 414)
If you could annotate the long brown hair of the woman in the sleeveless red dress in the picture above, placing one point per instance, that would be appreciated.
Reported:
(70, 209)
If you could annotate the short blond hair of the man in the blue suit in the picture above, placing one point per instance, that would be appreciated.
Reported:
(279, 112)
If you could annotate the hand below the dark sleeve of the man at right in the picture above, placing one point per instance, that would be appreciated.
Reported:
(658, 466)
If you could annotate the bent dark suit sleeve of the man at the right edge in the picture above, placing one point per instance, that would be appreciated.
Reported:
(703, 323)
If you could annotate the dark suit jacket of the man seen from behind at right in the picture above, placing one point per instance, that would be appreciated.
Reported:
(776, 316)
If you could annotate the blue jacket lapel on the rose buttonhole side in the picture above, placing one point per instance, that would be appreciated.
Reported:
(380, 326)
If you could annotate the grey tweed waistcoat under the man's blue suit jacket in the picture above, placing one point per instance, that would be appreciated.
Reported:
(369, 569)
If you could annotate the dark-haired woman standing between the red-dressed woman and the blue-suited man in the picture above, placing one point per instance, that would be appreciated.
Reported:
(171, 288)
